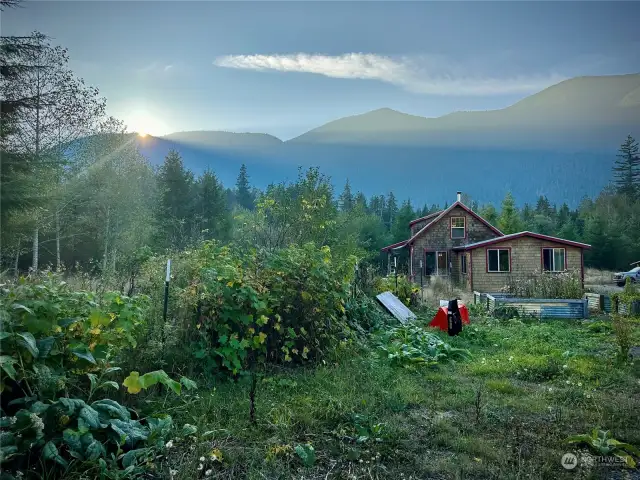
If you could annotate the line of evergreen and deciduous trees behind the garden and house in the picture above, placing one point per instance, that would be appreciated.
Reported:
(76, 192)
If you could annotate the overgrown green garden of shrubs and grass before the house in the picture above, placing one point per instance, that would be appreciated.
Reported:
(283, 366)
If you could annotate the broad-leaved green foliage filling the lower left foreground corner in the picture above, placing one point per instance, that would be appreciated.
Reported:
(58, 349)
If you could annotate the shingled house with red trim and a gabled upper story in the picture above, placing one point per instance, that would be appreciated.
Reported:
(459, 244)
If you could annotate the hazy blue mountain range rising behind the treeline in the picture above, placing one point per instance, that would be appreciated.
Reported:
(560, 142)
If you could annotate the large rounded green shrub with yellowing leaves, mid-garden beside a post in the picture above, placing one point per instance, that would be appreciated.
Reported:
(231, 309)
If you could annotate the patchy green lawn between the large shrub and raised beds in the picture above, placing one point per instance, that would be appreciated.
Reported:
(503, 414)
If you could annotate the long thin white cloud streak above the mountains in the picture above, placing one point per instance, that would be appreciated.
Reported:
(426, 74)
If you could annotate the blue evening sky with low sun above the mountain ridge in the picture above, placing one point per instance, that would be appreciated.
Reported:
(285, 67)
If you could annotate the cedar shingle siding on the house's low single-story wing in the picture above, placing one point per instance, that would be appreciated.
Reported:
(526, 259)
